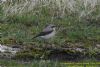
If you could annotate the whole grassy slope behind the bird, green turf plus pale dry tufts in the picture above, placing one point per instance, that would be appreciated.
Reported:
(78, 22)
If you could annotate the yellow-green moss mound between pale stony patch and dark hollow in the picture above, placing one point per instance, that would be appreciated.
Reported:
(30, 54)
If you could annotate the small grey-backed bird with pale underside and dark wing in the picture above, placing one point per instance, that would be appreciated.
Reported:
(48, 32)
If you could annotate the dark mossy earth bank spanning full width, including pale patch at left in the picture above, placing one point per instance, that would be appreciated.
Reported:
(51, 53)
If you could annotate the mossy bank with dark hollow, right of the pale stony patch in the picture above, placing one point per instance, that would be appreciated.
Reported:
(58, 53)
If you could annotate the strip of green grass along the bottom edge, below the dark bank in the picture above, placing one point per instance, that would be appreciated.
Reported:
(47, 63)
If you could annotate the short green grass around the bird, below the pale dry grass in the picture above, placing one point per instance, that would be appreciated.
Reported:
(23, 30)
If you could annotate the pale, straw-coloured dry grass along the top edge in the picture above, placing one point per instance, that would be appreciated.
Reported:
(61, 7)
